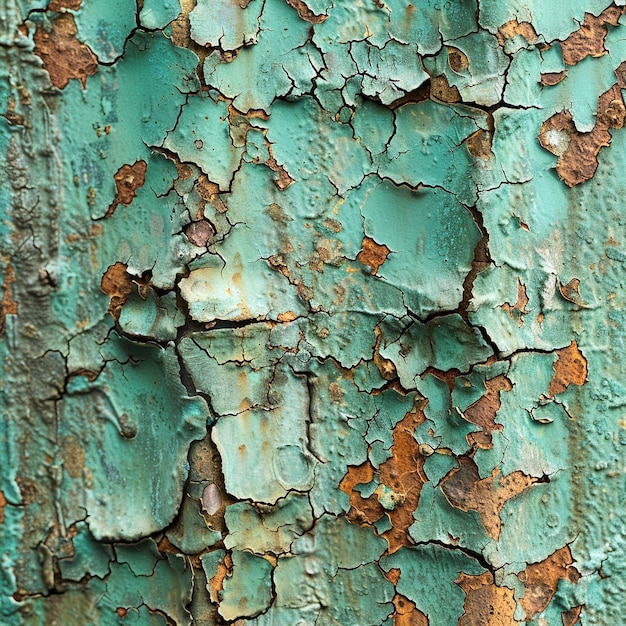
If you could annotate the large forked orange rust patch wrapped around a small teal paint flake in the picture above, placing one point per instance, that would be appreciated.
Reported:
(402, 474)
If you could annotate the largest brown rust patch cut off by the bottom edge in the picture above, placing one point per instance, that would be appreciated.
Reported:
(486, 604)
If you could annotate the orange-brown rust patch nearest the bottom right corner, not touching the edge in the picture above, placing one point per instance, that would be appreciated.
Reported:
(542, 579)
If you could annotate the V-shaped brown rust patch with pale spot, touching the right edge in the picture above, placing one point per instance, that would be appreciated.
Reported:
(578, 152)
